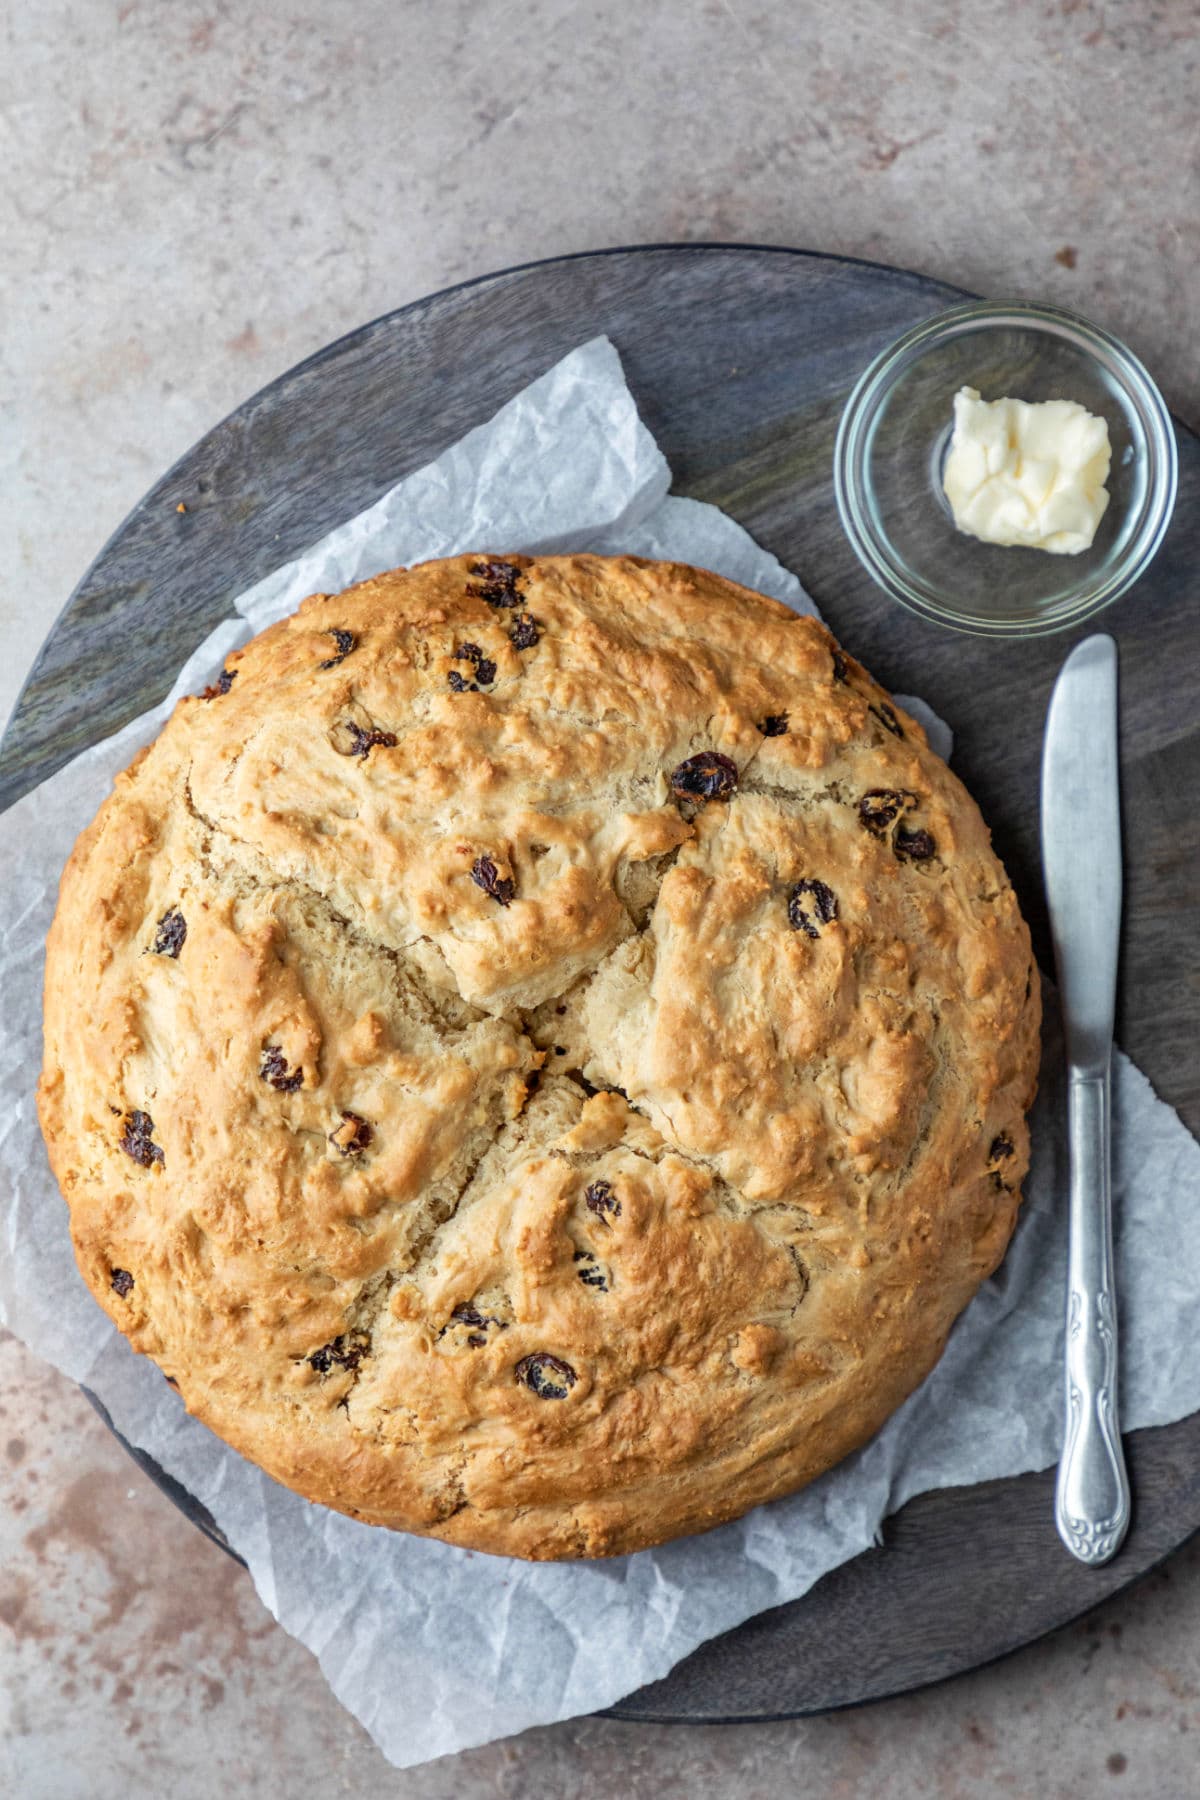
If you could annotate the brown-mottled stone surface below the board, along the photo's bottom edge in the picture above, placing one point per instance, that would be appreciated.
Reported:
(136, 1660)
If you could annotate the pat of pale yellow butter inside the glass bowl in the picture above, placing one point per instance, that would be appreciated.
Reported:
(1028, 474)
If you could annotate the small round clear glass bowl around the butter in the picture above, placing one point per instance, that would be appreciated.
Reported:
(893, 445)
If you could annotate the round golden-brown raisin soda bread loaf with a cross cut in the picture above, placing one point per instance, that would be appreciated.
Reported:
(539, 1052)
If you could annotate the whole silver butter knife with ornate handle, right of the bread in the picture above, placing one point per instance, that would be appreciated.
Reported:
(1082, 867)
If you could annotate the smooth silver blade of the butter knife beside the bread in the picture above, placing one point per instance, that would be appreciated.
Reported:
(1082, 845)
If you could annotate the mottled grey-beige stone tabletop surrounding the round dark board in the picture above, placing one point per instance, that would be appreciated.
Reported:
(195, 197)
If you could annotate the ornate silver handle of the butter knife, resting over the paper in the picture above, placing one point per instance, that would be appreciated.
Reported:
(1093, 1497)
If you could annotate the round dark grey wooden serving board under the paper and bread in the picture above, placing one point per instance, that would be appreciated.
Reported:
(742, 361)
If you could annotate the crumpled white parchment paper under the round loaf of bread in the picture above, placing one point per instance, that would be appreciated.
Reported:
(433, 1648)
